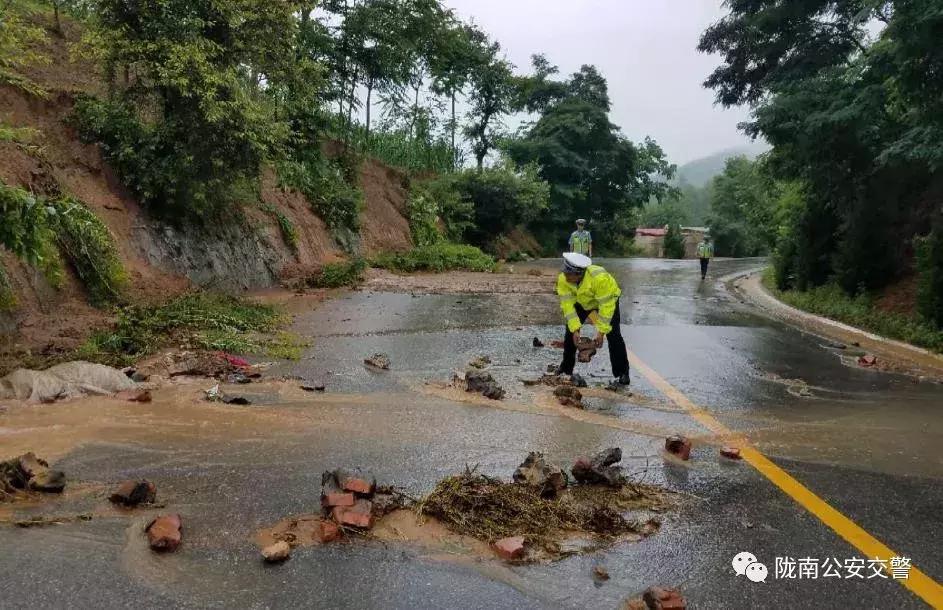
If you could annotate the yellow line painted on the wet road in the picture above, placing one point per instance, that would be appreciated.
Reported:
(919, 583)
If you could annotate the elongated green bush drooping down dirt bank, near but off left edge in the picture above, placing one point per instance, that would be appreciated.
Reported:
(90, 248)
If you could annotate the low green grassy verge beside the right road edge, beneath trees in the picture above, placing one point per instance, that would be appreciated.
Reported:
(860, 311)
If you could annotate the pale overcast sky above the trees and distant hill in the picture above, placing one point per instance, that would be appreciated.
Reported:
(644, 48)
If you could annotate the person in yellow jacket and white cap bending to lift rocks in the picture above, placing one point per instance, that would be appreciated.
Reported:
(588, 291)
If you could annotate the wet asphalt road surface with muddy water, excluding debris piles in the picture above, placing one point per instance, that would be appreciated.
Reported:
(866, 442)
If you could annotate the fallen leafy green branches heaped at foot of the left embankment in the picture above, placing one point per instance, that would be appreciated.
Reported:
(197, 320)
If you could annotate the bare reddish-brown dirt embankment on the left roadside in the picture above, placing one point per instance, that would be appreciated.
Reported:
(161, 259)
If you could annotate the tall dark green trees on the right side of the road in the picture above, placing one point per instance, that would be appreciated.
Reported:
(850, 95)
